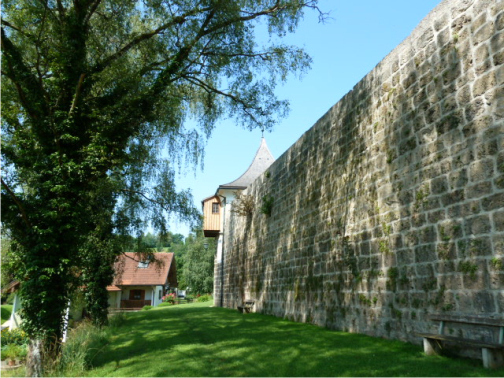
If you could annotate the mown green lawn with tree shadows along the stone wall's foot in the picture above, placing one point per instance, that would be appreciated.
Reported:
(198, 340)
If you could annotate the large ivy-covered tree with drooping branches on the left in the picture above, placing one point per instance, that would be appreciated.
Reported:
(92, 92)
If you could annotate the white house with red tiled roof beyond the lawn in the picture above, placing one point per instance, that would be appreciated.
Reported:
(139, 283)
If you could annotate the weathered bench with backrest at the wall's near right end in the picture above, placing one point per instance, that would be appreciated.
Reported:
(492, 352)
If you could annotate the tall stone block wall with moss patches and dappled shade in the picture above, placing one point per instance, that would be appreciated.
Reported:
(391, 207)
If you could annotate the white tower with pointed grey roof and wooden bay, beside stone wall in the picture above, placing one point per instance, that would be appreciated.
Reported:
(217, 209)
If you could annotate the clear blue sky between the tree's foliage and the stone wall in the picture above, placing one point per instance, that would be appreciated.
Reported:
(358, 36)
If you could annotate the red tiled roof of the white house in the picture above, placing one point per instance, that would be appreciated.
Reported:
(128, 272)
